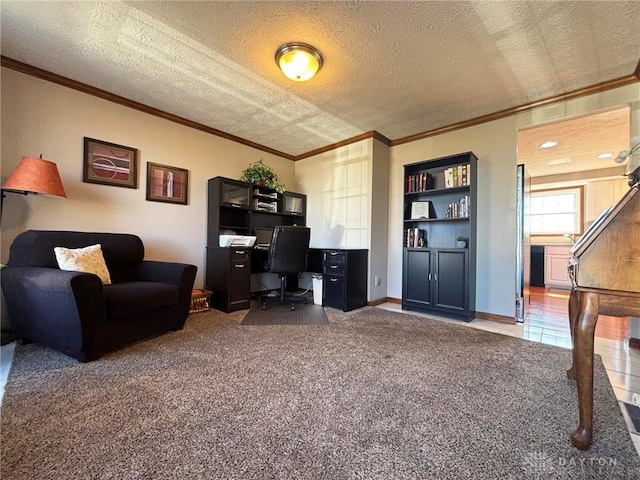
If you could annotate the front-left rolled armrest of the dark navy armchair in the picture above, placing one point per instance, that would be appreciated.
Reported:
(54, 307)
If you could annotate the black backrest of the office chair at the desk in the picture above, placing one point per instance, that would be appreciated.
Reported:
(289, 247)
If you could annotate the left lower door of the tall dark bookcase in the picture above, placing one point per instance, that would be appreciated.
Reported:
(416, 284)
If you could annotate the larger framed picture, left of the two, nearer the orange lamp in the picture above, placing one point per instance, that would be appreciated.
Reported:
(109, 164)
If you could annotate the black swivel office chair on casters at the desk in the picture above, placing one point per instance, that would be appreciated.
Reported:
(288, 256)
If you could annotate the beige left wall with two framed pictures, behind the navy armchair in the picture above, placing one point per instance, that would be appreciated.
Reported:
(40, 117)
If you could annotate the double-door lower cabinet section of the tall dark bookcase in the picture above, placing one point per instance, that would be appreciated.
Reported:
(435, 279)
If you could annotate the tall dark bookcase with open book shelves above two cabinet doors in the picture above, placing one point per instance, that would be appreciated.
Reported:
(440, 205)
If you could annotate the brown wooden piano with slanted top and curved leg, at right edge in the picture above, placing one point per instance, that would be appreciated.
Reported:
(605, 275)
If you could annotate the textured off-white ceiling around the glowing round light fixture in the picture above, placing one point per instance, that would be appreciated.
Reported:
(399, 68)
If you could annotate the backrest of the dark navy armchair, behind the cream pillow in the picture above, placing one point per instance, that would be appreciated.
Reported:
(121, 251)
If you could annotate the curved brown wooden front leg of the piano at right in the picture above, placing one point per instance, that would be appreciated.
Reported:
(584, 321)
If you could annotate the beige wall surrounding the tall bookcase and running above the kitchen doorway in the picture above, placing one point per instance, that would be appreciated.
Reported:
(494, 144)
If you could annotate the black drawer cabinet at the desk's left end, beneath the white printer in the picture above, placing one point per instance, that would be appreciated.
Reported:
(228, 276)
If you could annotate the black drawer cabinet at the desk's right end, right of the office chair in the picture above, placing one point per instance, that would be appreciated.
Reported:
(344, 278)
